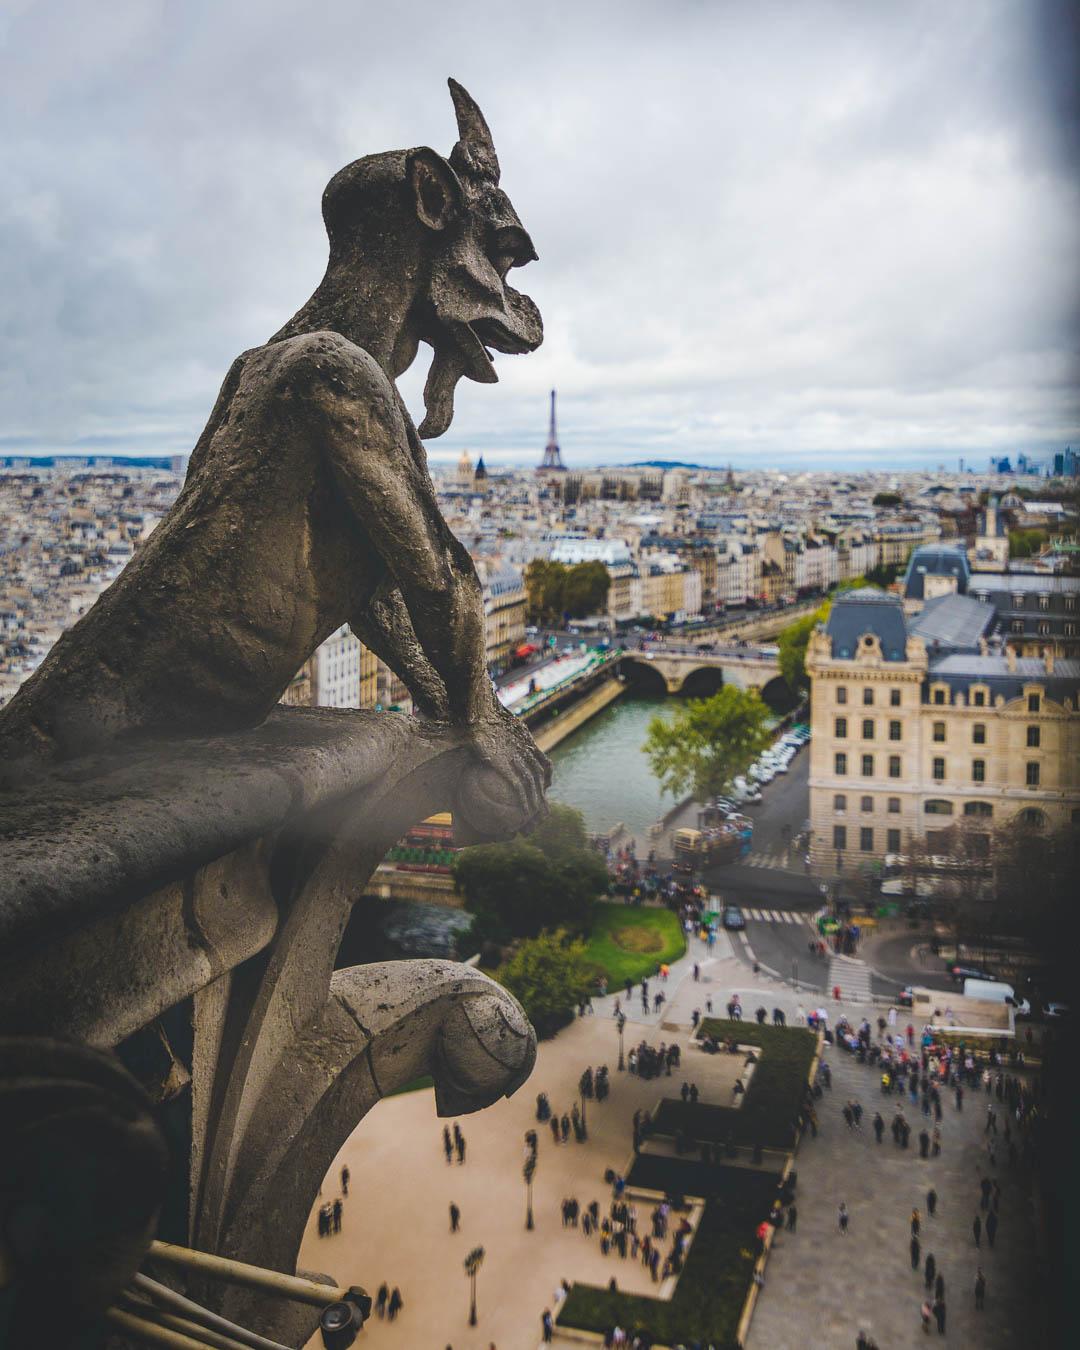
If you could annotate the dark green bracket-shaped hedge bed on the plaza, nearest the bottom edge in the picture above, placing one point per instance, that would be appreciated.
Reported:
(713, 1287)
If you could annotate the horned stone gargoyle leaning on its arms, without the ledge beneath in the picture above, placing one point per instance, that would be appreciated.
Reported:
(308, 503)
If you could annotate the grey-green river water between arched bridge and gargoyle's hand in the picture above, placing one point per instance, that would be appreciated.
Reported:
(603, 772)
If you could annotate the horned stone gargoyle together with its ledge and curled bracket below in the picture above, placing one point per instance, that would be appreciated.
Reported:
(176, 850)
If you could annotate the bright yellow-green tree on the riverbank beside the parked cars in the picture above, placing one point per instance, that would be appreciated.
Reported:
(708, 742)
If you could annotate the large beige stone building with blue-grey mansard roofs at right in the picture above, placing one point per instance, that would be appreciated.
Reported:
(927, 722)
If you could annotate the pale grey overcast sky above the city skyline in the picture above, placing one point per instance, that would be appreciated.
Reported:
(823, 234)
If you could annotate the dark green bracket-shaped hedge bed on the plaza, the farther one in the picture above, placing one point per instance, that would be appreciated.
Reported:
(769, 1113)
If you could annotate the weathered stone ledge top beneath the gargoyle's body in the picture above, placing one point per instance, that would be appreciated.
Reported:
(107, 830)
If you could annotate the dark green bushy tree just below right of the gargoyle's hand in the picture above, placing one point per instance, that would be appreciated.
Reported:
(538, 881)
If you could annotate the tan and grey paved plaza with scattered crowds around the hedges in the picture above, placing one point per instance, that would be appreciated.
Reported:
(398, 1231)
